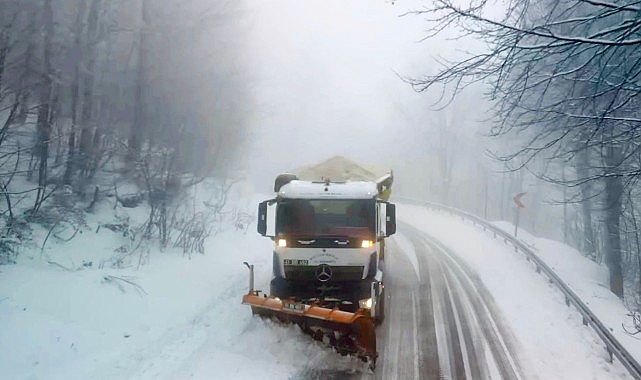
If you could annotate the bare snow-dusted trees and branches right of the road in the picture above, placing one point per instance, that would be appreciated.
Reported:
(564, 78)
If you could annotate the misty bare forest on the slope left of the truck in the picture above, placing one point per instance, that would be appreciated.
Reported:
(96, 95)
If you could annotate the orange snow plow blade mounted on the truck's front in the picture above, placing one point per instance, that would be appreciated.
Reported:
(349, 333)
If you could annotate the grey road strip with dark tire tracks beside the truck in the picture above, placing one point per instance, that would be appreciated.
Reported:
(468, 311)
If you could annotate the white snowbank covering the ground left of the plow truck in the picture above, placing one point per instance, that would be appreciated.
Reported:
(61, 319)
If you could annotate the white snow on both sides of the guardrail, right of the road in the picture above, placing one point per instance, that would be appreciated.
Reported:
(553, 343)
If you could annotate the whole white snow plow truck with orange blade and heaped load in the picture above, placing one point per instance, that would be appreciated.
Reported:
(328, 223)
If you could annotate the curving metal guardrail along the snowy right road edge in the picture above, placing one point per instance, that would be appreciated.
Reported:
(613, 347)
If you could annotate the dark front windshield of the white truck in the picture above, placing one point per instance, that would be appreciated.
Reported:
(326, 217)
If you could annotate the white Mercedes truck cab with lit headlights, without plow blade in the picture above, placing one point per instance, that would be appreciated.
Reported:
(328, 240)
